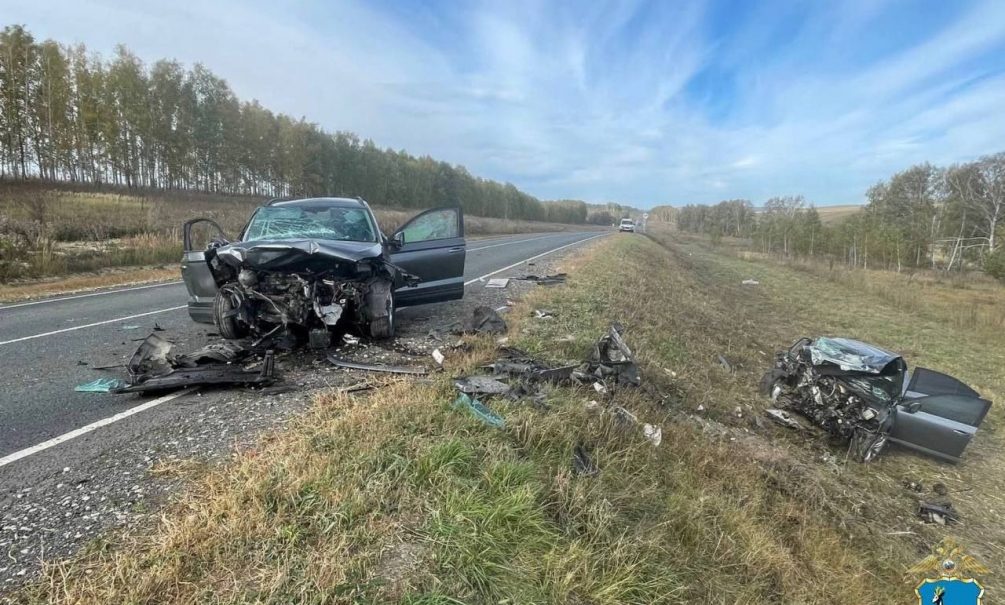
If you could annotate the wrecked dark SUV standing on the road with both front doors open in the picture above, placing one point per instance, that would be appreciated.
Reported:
(304, 268)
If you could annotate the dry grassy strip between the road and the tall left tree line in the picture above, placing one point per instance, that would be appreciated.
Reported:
(48, 233)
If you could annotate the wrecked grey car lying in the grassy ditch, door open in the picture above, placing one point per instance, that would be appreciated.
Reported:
(868, 396)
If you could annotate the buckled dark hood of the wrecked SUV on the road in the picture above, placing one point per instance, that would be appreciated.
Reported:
(297, 255)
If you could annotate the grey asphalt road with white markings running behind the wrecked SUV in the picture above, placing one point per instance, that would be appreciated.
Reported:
(50, 347)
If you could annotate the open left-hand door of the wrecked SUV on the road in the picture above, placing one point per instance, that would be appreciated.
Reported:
(195, 267)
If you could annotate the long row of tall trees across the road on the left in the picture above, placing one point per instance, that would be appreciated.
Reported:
(70, 116)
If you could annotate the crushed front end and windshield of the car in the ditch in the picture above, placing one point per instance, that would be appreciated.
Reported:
(847, 387)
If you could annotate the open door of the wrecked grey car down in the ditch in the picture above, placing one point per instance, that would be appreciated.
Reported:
(939, 416)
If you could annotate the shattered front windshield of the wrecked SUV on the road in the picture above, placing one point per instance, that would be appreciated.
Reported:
(325, 223)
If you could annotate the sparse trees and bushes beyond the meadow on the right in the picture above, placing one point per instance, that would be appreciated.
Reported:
(925, 217)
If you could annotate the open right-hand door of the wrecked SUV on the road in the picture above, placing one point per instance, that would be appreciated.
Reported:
(432, 247)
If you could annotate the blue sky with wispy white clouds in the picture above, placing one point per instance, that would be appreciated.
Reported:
(646, 103)
